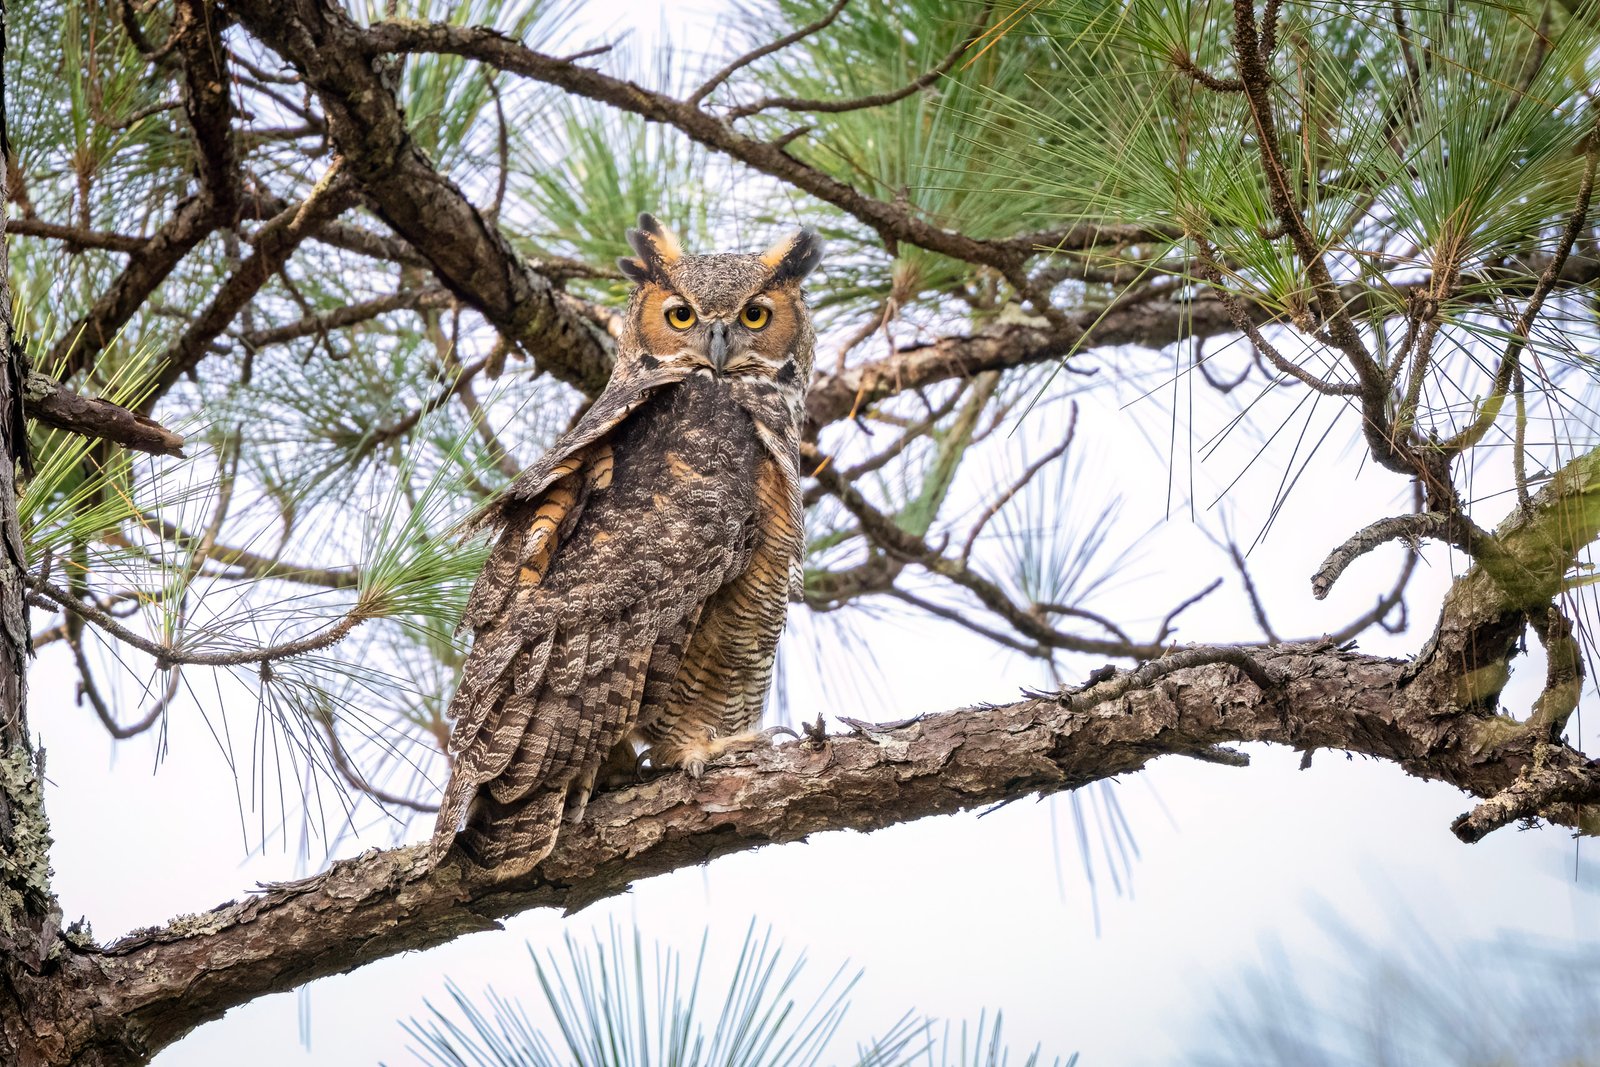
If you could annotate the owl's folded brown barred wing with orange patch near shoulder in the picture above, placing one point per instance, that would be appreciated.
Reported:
(598, 575)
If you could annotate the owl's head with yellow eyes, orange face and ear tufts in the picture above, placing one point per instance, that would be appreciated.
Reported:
(738, 316)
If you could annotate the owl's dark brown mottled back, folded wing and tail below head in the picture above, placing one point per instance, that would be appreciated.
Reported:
(588, 609)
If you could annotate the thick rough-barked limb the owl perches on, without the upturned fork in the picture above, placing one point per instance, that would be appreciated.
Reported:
(153, 988)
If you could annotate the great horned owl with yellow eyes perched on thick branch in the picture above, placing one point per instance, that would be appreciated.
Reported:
(644, 565)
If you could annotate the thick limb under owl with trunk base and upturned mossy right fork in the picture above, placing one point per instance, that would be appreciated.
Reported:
(1436, 717)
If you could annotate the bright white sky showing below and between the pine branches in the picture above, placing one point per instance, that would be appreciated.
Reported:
(948, 916)
